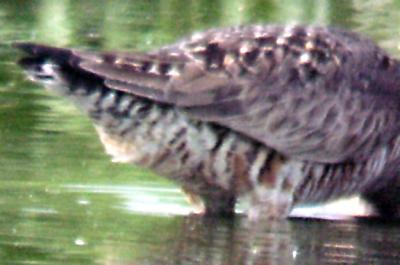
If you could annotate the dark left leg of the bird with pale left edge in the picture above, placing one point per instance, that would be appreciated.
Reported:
(212, 201)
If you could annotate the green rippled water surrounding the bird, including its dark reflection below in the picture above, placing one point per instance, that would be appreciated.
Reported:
(63, 202)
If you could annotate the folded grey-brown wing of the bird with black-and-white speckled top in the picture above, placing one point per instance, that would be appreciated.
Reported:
(315, 94)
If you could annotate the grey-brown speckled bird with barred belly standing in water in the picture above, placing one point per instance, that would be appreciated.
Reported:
(282, 115)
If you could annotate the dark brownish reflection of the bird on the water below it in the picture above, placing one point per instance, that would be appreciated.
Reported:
(219, 242)
